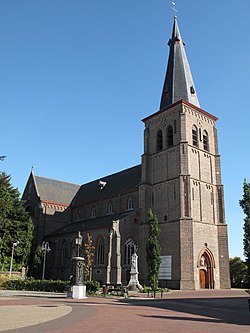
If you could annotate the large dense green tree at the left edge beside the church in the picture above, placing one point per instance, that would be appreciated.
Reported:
(15, 224)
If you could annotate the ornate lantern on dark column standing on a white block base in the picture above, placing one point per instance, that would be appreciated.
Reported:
(78, 288)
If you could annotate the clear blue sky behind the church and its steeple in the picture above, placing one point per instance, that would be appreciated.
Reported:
(77, 77)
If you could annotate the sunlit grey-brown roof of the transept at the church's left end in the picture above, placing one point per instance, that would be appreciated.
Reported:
(55, 191)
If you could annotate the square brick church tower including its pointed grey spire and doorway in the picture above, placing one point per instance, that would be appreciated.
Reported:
(181, 182)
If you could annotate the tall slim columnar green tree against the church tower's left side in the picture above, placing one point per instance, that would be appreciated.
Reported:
(153, 251)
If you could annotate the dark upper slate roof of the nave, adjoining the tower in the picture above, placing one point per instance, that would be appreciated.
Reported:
(117, 183)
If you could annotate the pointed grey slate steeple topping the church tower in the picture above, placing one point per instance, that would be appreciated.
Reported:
(178, 81)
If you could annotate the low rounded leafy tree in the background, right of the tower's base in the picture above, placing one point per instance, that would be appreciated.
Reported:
(238, 271)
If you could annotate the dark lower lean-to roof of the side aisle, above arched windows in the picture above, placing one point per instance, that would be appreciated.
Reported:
(103, 222)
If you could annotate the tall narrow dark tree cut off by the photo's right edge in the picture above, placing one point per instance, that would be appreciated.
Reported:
(245, 205)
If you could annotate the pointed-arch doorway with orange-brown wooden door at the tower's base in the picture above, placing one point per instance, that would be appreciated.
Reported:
(206, 269)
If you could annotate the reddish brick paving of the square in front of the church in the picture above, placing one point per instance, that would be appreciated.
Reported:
(208, 311)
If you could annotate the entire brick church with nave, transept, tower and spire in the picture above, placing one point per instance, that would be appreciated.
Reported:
(179, 178)
